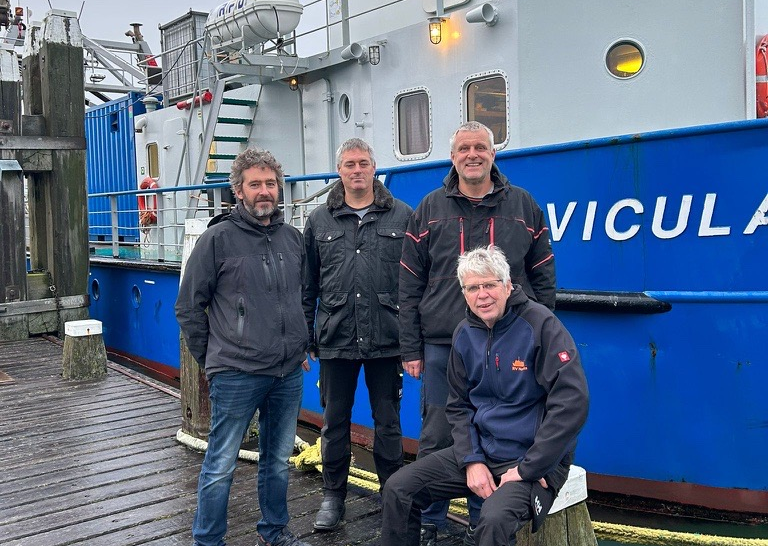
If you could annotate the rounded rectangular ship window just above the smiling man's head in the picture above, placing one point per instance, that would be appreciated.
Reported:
(486, 102)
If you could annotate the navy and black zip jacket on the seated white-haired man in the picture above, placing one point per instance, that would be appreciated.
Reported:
(517, 392)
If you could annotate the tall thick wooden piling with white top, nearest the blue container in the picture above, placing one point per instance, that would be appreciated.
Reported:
(53, 82)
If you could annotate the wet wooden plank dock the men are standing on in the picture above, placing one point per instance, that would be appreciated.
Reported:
(96, 462)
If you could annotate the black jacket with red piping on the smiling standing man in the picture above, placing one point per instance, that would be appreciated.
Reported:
(446, 224)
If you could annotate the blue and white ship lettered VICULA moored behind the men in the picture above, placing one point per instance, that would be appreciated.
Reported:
(638, 127)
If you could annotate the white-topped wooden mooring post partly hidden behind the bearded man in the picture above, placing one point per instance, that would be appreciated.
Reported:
(195, 404)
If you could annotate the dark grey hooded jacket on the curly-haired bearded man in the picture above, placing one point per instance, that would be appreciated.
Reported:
(239, 304)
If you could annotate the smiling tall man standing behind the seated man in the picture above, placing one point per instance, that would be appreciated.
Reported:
(476, 206)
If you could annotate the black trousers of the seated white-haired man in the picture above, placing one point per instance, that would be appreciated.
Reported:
(439, 478)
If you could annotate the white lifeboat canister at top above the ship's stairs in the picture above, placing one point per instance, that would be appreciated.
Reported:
(246, 23)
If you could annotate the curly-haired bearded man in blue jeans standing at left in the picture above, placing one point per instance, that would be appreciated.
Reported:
(239, 309)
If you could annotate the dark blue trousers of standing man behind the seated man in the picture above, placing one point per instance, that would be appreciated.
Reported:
(435, 429)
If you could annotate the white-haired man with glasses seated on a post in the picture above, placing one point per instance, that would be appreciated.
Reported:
(518, 398)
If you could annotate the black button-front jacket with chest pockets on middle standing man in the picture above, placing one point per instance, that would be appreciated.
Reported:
(352, 267)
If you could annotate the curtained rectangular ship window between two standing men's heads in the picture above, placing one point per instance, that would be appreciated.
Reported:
(412, 113)
